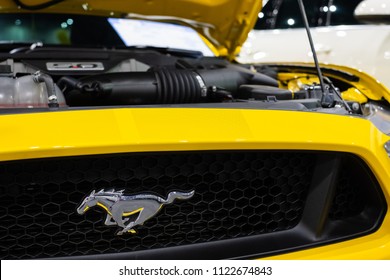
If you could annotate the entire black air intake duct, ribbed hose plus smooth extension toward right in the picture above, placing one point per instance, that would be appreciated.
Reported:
(159, 86)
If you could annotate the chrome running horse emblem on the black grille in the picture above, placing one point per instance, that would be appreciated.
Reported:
(120, 207)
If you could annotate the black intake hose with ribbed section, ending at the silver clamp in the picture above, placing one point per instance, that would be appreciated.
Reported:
(162, 86)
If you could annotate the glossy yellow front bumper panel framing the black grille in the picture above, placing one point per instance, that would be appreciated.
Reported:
(105, 131)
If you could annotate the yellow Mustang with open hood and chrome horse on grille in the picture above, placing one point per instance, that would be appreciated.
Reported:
(128, 131)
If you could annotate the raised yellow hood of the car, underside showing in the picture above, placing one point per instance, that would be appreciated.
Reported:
(224, 23)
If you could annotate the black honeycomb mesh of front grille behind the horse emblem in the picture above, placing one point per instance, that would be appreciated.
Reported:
(237, 194)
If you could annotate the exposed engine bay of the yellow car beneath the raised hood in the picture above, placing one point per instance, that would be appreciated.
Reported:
(69, 77)
